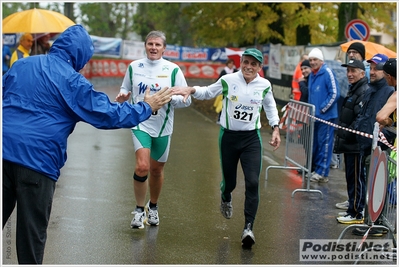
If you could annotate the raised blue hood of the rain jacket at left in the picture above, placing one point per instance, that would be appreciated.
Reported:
(75, 46)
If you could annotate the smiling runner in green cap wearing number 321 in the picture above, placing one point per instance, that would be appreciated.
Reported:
(245, 93)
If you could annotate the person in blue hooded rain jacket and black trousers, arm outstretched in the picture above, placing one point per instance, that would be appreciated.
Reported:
(44, 97)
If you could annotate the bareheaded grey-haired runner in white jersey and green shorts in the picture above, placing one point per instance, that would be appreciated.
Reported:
(151, 138)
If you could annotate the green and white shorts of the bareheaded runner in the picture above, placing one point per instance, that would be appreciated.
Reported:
(159, 146)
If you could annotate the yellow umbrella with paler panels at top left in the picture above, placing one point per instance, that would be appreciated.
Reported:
(36, 21)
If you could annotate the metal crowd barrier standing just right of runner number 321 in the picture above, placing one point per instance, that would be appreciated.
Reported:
(299, 142)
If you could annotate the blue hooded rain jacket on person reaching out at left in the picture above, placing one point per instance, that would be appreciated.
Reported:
(45, 96)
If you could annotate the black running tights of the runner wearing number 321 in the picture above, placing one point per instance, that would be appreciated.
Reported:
(246, 147)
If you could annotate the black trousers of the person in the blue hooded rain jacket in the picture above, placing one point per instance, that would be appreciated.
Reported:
(32, 192)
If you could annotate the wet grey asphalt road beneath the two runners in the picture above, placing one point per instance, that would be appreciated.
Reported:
(90, 219)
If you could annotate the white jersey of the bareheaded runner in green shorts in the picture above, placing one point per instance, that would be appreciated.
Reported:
(156, 74)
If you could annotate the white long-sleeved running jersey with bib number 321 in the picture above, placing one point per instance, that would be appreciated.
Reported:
(242, 102)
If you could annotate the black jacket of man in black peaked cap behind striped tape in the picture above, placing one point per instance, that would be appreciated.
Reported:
(345, 141)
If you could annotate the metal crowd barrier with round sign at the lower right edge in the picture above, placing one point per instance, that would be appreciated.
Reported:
(380, 212)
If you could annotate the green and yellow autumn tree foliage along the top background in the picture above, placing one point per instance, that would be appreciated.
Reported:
(229, 24)
